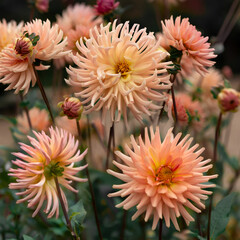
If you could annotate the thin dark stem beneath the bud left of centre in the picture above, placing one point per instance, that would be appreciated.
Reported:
(90, 188)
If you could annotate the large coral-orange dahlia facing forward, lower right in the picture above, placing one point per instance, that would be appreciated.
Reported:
(163, 178)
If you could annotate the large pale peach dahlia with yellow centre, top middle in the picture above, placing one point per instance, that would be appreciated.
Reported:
(119, 68)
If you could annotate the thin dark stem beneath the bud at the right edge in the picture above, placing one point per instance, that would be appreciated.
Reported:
(217, 134)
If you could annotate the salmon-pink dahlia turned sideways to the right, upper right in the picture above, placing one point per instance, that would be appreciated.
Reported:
(184, 36)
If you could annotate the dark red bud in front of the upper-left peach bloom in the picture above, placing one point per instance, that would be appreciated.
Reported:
(24, 46)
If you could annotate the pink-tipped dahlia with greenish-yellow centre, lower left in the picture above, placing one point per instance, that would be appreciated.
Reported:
(48, 156)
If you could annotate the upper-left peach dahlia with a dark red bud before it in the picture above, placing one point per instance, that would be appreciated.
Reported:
(16, 59)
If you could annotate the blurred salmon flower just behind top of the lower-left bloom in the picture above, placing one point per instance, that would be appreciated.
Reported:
(39, 120)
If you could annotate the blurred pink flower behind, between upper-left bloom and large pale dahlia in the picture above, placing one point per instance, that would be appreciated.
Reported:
(75, 27)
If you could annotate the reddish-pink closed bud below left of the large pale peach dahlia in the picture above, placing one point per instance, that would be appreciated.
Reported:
(71, 107)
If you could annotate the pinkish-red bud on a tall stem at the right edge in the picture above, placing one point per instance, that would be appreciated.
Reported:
(228, 100)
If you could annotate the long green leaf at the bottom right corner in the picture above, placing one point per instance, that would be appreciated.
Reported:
(220, 216)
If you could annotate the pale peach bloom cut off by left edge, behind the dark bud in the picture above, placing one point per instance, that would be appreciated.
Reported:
(9, 32)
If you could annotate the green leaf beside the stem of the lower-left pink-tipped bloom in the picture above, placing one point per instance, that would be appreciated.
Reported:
(77, 215)
